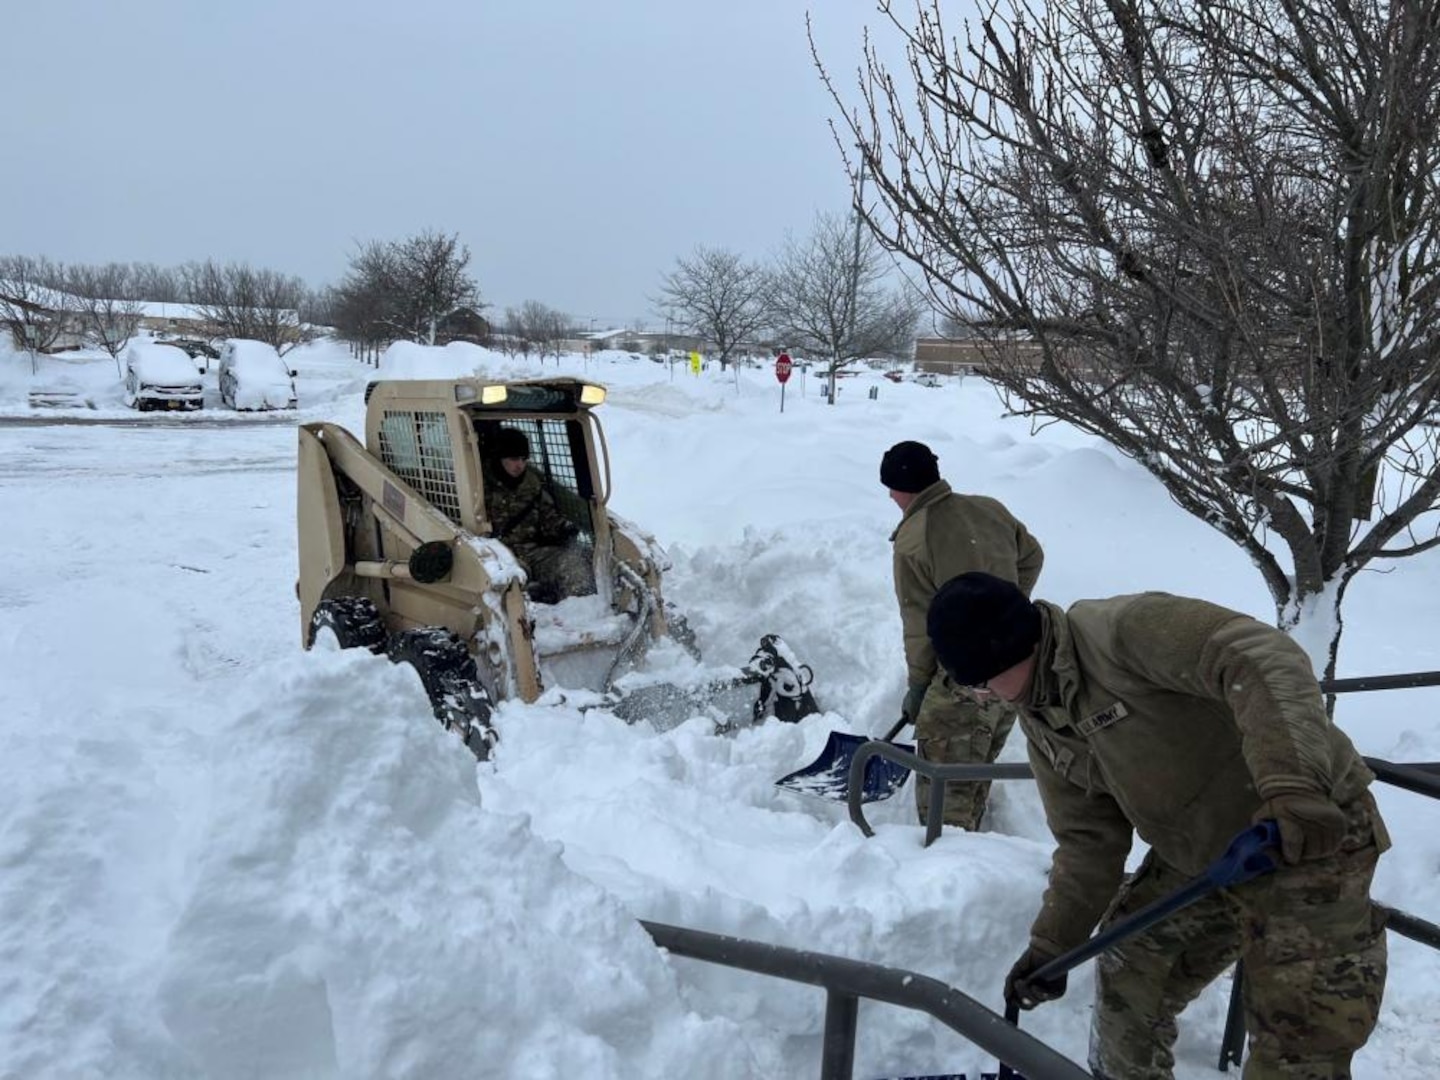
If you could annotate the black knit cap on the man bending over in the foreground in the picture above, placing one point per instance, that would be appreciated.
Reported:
(980, 627)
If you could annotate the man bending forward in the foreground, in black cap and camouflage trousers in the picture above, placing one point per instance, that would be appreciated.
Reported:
(1184, 722)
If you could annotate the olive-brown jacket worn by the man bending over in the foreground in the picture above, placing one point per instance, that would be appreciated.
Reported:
(1173, 719)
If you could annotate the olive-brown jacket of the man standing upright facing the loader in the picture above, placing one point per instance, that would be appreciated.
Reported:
(944, 535)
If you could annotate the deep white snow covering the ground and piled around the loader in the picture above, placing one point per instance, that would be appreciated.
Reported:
(227, 858)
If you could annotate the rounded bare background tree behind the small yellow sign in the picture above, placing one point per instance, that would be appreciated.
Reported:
(719, 297)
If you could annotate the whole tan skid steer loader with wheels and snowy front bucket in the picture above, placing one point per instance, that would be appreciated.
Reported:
(398, 555)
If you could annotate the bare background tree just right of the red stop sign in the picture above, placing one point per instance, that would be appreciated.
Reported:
(832, 300)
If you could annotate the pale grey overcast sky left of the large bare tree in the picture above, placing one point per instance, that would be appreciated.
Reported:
(577, 146)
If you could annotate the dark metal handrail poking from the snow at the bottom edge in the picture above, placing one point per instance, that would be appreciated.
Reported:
(846, 981)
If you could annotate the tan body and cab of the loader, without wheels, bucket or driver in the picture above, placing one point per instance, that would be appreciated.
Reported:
(374, 519)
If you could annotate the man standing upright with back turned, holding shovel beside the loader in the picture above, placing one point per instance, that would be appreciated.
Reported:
(941, 535)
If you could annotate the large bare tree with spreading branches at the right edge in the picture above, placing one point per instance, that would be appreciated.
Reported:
(1205, 231)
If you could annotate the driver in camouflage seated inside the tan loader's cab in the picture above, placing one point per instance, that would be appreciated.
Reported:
(525, 518)
